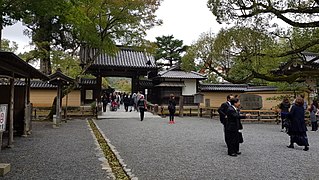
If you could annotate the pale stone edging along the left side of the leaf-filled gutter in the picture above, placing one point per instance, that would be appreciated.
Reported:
(105, 164)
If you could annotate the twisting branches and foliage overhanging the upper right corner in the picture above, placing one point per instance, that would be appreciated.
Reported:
(286, 42)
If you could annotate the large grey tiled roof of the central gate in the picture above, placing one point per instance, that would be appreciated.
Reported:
(125, 57)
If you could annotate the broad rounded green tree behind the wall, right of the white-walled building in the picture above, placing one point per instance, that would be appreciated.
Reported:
(232, 55)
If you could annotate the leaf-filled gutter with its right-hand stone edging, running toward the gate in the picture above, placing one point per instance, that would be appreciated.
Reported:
(111, 154)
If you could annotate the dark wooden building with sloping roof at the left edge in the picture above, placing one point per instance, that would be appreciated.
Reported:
(17, 99)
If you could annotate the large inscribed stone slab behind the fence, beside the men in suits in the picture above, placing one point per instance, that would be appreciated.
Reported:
(250, 101)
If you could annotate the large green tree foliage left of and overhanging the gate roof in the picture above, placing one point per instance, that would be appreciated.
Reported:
(67, 25)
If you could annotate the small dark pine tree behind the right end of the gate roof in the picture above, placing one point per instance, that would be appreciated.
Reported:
(169, 49)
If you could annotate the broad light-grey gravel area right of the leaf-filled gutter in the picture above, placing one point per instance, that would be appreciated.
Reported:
(194, 148)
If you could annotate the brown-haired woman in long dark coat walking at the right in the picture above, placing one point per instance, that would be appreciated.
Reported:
(297, 129)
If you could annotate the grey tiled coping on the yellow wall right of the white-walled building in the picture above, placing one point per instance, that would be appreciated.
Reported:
(235, 87)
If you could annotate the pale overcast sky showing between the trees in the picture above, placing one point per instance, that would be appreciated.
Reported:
(184, 19)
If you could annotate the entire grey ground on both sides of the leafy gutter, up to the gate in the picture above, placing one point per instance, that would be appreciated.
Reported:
(193, 148)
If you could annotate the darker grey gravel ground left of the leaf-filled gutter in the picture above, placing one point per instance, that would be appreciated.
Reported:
(69, 152)
